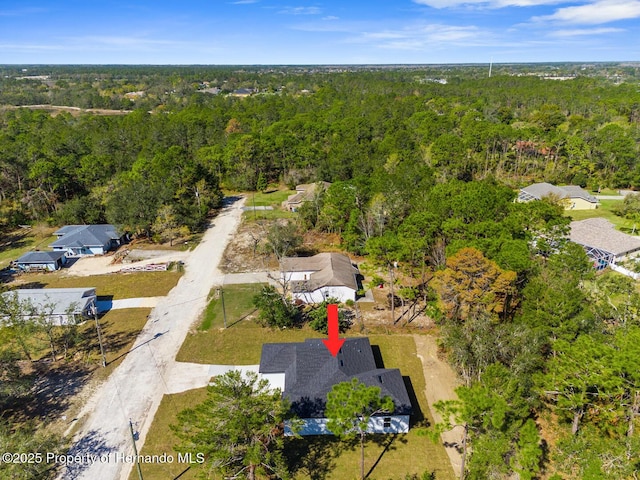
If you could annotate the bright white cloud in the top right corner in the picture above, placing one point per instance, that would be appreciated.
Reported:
(601, 11)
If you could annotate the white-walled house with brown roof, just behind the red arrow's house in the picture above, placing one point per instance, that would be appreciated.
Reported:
(325, 275)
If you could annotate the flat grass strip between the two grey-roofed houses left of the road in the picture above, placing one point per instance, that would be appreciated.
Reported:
(116, 285)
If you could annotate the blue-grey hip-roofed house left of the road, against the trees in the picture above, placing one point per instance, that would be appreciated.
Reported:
(81, 240)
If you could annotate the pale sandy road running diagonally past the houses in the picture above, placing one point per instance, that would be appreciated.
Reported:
(134, 390)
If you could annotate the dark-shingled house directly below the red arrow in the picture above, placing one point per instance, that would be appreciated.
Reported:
(306, 372)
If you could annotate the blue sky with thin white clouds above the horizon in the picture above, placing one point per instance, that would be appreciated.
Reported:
(317, 32)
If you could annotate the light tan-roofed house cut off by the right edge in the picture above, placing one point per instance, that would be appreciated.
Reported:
(605, 245)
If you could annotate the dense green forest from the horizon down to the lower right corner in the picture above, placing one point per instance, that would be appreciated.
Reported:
(423, 164)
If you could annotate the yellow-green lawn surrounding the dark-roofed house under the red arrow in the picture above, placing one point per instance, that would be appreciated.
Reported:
(389, 457)
